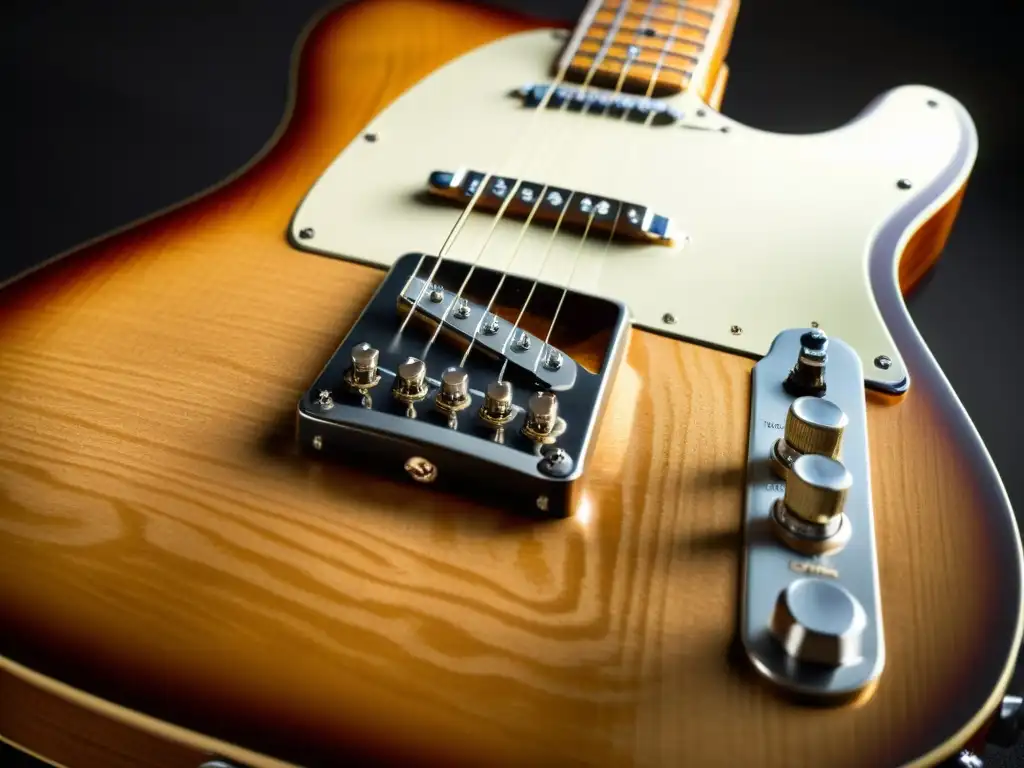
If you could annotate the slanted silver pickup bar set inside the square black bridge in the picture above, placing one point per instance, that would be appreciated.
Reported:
(463, 320)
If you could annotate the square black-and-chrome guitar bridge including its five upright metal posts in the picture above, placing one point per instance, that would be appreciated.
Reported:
(498, 464)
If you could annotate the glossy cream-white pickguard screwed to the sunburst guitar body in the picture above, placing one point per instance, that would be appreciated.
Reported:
(780, 227)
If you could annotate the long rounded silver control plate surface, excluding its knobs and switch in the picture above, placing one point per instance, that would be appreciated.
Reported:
(771, 567)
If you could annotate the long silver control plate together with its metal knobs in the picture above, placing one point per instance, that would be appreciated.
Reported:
(817, 529)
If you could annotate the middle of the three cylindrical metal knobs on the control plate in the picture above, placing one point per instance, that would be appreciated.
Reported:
(809, 518)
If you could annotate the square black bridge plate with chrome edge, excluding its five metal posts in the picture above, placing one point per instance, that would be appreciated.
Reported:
(459, 451)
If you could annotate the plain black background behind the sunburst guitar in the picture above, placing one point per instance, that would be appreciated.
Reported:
(116, 109)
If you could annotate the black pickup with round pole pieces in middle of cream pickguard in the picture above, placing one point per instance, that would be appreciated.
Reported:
(628, 221)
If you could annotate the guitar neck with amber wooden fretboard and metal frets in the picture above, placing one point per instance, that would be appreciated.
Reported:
(650, 48)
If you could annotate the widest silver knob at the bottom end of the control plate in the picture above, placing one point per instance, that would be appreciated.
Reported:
(820, 622)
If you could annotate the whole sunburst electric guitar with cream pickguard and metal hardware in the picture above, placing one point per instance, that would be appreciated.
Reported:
(517, 407)
